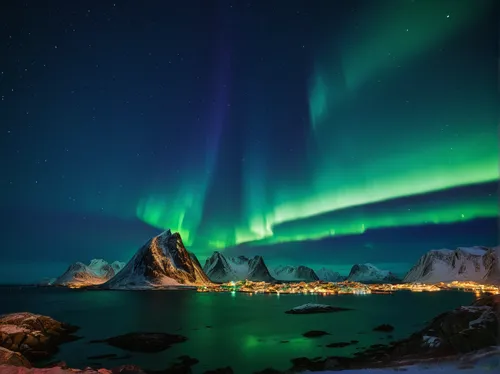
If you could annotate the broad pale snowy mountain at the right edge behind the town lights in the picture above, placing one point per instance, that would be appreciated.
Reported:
(478, 264)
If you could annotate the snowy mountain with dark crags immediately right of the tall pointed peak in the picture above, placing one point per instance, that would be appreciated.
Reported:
(225, 269)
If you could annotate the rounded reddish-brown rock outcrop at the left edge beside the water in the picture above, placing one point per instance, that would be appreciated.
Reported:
(35, 336)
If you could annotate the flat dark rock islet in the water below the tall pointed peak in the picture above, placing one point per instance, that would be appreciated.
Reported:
(149, 342)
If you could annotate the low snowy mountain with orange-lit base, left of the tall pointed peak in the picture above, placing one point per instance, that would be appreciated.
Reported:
(79, 274)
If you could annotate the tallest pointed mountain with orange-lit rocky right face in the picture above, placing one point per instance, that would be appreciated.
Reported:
(162, 262)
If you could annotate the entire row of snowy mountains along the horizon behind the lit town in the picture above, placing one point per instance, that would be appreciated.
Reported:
(164, 262)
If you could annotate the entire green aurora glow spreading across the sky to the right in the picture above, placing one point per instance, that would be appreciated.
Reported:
(423, 154)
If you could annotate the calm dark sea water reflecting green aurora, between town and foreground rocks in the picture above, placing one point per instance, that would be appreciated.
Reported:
(246, 332)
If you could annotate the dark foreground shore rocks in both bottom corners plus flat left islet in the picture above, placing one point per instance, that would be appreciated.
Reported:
(26, 339)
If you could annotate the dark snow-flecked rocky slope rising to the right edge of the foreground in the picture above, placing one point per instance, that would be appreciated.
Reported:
(461, 331)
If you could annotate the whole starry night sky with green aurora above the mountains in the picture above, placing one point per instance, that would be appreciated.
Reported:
(323, 133)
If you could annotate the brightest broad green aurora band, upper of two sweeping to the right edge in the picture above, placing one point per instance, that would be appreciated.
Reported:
(409, 182)
